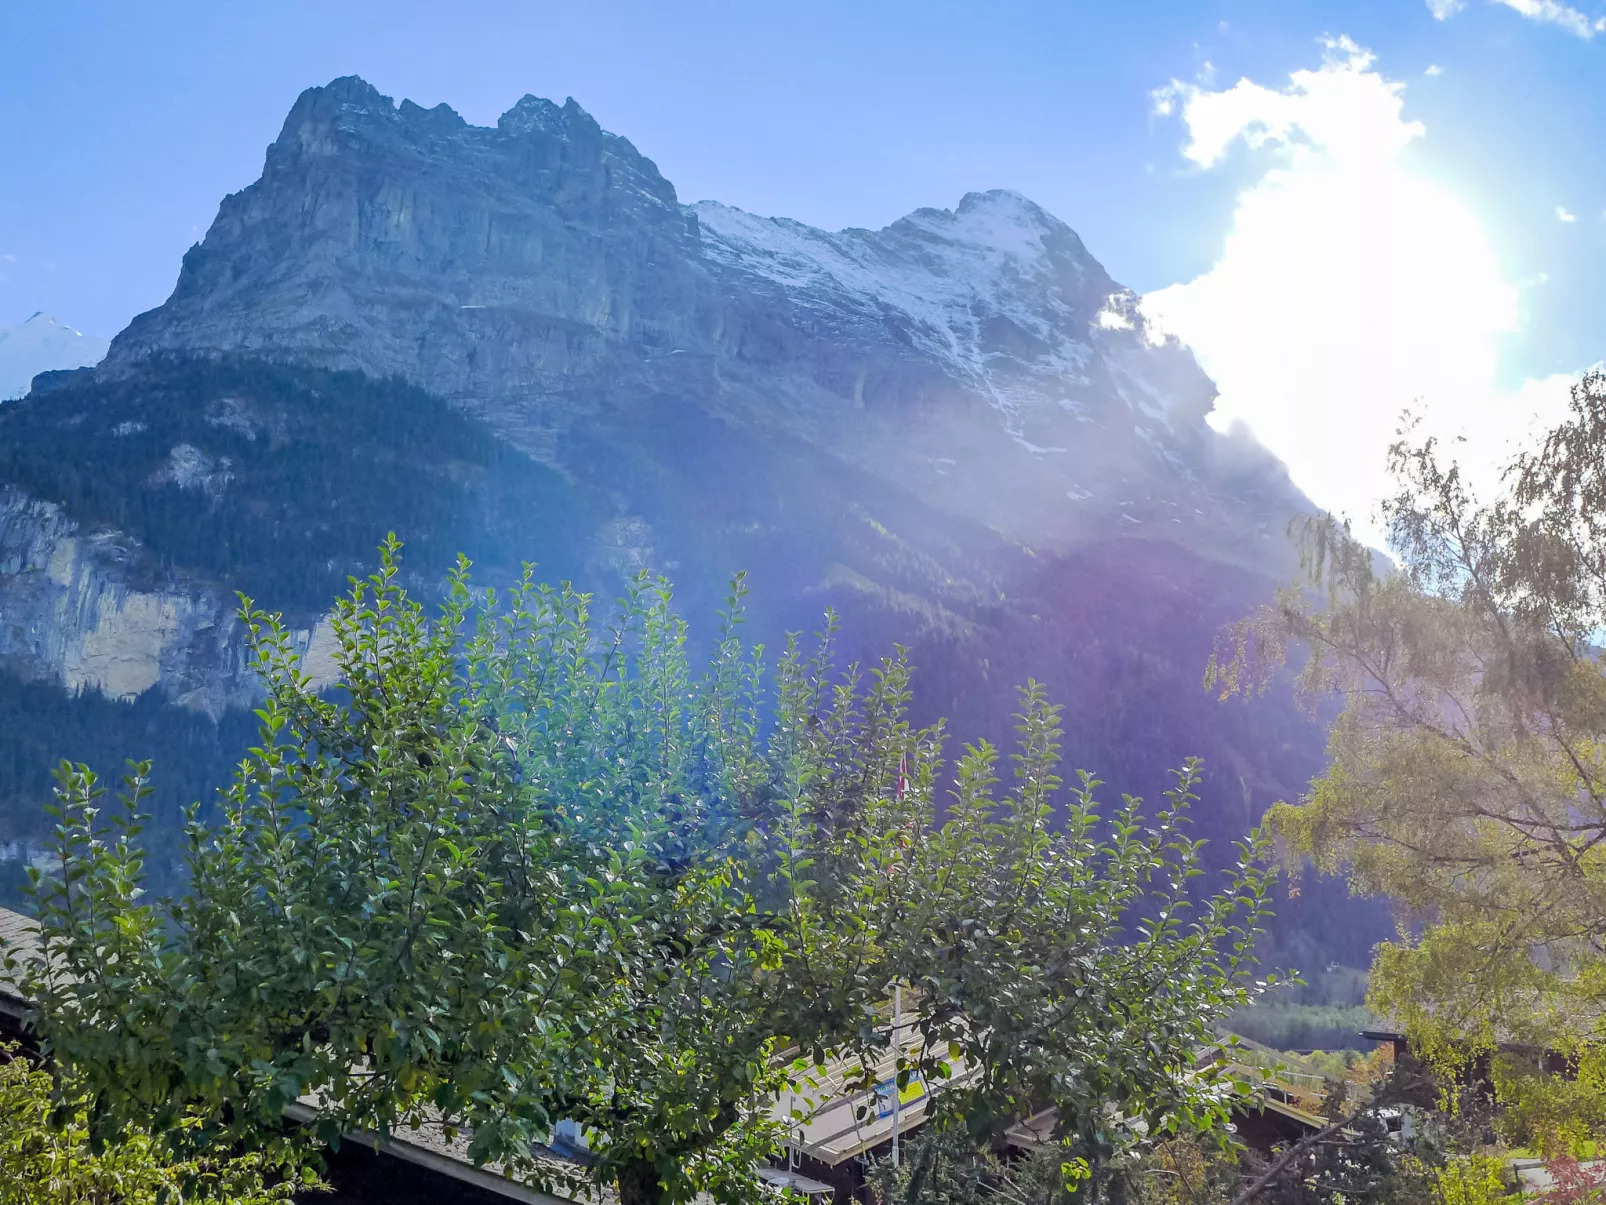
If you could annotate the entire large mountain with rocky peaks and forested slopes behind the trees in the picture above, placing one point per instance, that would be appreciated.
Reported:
(518, 341)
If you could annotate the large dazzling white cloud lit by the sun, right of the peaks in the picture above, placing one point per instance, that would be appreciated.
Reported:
(1348, 288)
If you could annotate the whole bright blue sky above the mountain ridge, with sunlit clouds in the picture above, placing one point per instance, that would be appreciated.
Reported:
(123, 126)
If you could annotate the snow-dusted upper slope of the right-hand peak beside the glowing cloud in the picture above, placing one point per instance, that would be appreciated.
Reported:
(1091, 422)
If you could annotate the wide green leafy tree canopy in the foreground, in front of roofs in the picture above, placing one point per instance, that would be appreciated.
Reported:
(524, 867)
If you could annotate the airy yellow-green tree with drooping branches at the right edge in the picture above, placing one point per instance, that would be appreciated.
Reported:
(1467, 775)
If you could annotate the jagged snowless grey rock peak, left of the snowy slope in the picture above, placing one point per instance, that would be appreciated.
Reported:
(534, 259)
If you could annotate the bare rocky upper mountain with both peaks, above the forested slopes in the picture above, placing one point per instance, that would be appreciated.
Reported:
(544, 277)
